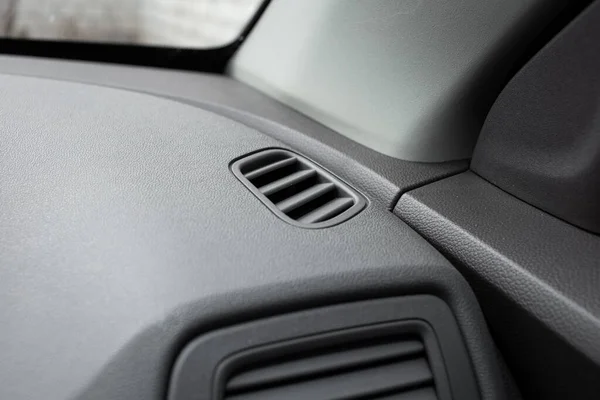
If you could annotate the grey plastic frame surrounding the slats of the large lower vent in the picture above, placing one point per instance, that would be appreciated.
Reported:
(205, 363)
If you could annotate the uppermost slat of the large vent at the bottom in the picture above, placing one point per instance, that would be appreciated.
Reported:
(324, 364)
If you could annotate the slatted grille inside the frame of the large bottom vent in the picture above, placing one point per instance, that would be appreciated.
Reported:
(385, 370)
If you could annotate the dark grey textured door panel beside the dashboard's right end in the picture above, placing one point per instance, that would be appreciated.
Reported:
(536, 276)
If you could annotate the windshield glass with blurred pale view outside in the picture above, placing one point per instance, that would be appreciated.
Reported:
(173, 23)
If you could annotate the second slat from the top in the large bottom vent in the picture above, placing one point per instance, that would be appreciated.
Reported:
(356, 384)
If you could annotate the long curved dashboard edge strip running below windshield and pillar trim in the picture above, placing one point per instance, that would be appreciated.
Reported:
(382, 178)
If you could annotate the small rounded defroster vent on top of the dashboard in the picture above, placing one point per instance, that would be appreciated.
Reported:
(297, 190)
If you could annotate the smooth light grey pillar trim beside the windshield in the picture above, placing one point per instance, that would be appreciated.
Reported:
(411, 79)
